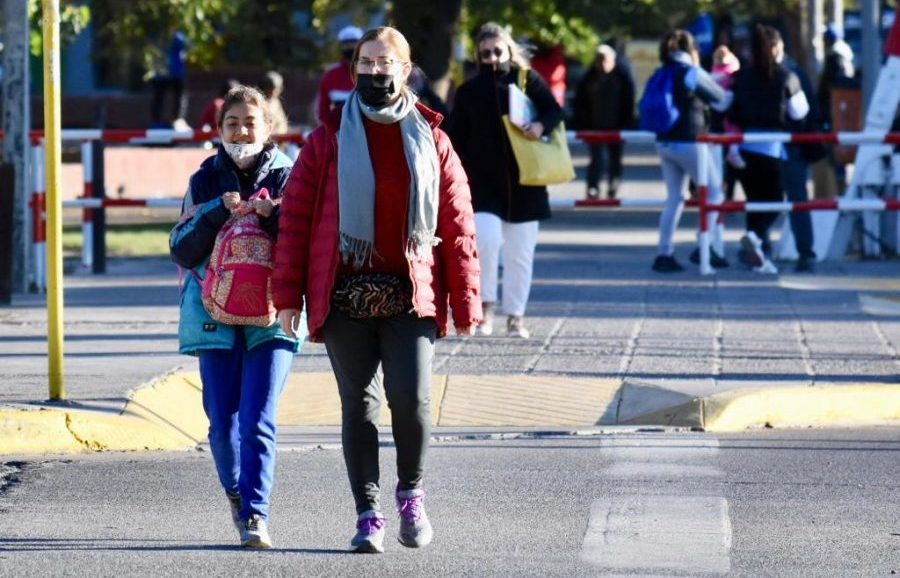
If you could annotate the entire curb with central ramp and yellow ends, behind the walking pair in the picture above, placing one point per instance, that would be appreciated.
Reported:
(167, 414)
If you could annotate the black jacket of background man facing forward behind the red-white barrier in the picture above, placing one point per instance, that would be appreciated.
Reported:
(604, 101)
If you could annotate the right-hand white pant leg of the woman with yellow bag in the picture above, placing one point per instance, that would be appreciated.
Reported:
(518, 264)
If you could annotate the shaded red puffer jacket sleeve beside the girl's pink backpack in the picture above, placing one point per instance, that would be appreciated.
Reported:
(295, 223)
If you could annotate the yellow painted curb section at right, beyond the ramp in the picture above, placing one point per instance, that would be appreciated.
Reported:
(802, 406)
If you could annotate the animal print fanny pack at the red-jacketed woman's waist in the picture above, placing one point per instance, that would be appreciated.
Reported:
(368, 295)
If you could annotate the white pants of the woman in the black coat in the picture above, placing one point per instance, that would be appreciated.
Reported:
(517, 241)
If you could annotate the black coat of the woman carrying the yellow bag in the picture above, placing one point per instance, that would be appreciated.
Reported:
(476, 128)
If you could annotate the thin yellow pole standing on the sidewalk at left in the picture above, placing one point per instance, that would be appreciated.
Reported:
(53, 164)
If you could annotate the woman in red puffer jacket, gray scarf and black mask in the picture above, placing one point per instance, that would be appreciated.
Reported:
(377, 238)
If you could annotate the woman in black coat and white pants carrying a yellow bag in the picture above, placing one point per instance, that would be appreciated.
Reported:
(506, 213)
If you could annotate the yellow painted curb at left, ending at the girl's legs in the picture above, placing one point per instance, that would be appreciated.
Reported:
(166, 415)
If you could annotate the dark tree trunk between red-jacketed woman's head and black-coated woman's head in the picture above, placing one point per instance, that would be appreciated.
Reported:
(430, 28)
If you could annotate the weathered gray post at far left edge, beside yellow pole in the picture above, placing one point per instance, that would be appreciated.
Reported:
(16, 125)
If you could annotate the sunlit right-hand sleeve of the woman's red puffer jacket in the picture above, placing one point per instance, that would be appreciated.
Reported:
(461, 271)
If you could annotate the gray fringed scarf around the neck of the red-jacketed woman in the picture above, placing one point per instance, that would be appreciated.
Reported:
(356, 179)
